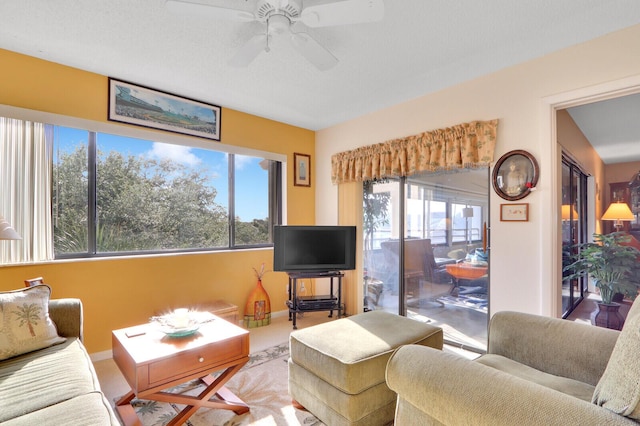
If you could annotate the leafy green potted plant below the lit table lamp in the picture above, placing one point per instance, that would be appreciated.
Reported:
(612, 266)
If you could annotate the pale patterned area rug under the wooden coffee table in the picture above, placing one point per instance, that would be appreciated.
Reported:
(262, 384)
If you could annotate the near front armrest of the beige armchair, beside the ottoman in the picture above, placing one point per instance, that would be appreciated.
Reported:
(448, 389)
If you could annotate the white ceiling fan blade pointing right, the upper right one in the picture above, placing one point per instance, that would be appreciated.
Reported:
(343, 12)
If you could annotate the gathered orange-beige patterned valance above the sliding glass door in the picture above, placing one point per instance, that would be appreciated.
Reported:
(468, 145)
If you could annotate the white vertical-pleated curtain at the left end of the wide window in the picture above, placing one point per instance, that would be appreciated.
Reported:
(25, 190)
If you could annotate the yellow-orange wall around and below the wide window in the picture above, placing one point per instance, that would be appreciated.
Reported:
(118, 292)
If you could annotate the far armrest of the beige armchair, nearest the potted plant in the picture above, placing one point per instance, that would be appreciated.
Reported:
(559, 347)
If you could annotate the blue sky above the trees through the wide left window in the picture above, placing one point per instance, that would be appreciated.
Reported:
(251, 179)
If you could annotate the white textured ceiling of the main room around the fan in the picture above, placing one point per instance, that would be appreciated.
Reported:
(421, 46)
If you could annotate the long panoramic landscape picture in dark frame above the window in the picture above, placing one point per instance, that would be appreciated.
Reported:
(143, 106)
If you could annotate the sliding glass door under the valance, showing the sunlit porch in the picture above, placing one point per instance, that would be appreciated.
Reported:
(425, 251)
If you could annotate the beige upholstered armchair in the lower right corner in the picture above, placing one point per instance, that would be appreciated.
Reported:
(538, 371)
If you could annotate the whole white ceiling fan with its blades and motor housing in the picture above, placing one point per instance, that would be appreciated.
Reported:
(280, 18)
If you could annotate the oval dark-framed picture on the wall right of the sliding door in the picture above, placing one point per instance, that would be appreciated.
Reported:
(515, 175)
